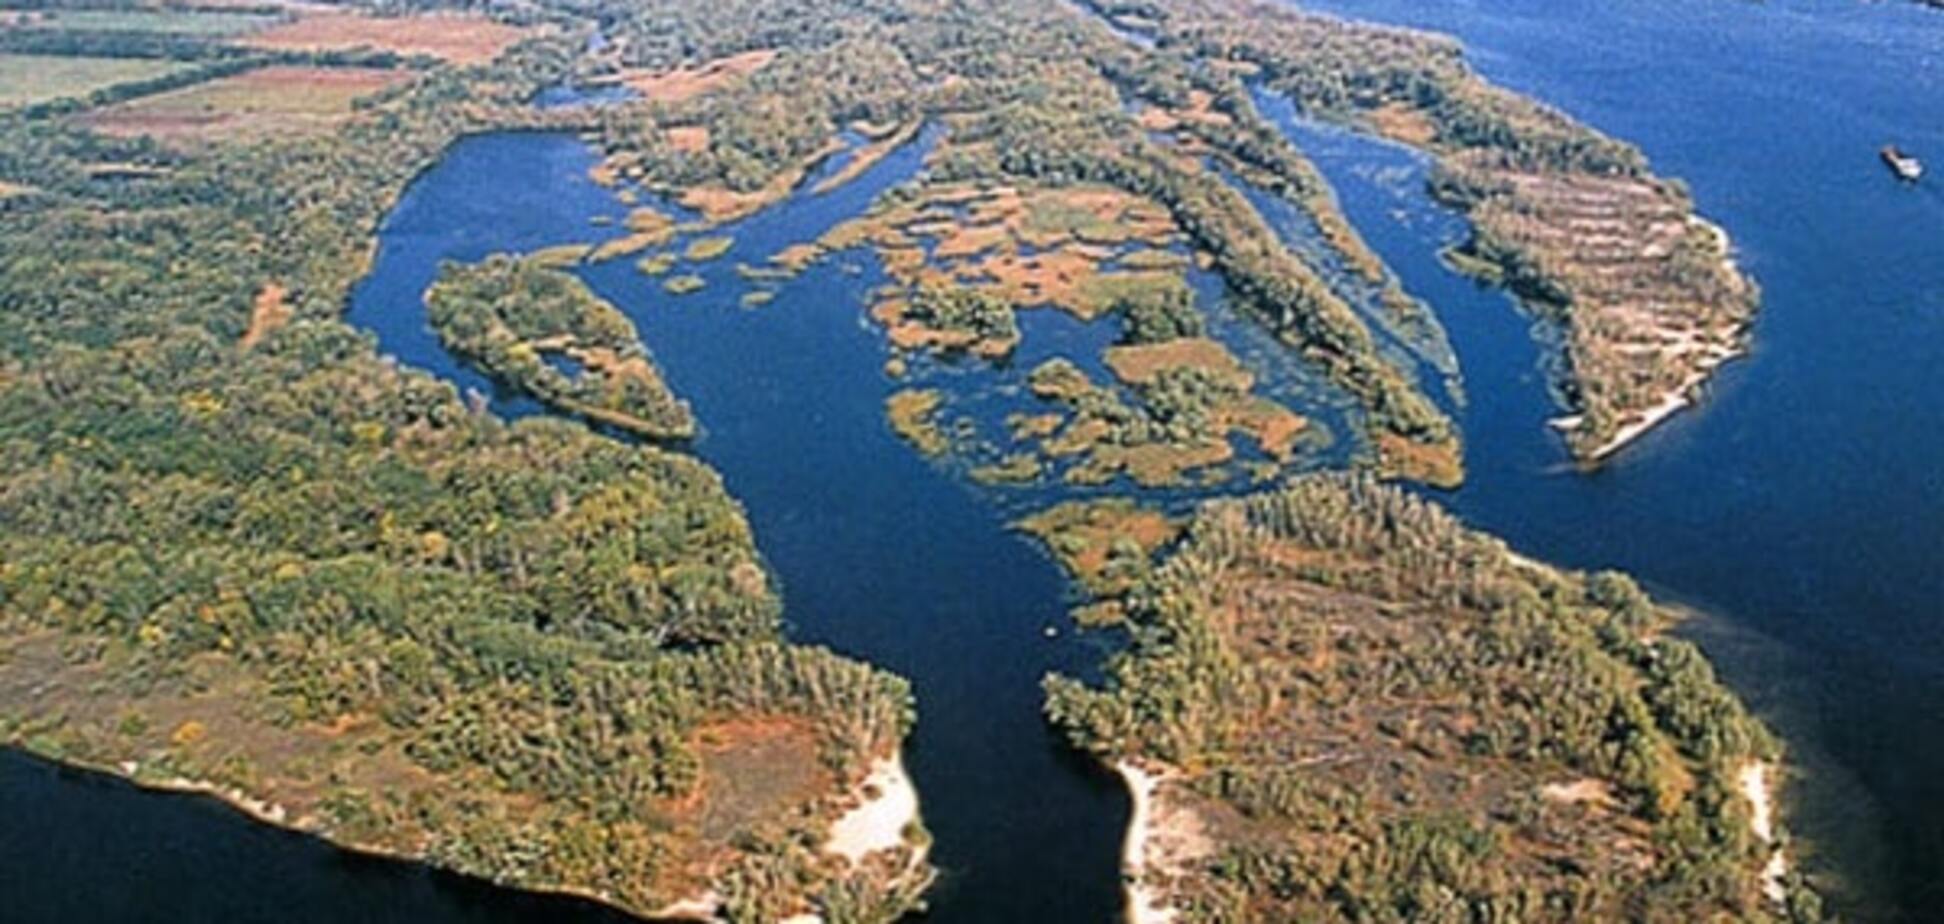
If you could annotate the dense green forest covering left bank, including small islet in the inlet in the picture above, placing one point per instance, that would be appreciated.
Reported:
(244, 553)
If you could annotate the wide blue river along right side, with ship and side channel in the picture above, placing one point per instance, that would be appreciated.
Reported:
(1803, 501)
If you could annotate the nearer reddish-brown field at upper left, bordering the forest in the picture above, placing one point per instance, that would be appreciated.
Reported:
(261, 104)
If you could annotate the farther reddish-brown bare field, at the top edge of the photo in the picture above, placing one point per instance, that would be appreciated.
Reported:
(462, 40)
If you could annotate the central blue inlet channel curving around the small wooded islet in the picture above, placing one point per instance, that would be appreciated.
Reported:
(878, 553)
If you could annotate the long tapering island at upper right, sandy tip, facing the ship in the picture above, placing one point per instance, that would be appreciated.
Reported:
(1642, 297)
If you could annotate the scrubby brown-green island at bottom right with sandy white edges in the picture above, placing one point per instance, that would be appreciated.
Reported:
(1371, 713)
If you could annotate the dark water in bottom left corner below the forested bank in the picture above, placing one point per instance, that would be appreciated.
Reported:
(87, 847)
